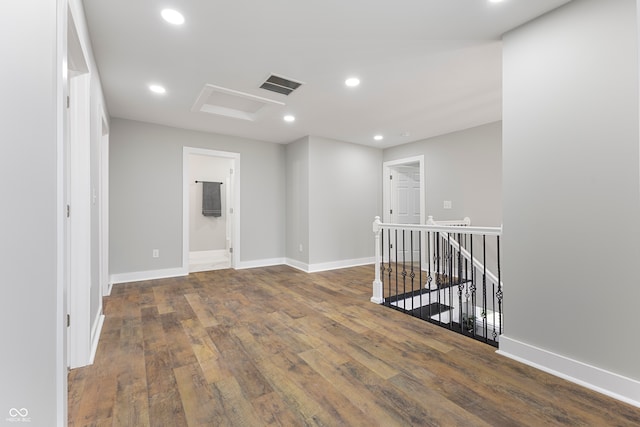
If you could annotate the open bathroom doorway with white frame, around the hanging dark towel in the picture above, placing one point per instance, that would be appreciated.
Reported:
(210, 242)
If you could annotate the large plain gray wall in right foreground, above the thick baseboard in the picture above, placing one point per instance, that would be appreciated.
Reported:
(571, 190)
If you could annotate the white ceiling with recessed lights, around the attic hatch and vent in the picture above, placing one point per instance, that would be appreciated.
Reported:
(427, 67)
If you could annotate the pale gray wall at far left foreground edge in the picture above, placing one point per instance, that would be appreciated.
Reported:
(29, 321)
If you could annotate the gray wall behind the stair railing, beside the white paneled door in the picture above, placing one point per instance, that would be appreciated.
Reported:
(464, 167)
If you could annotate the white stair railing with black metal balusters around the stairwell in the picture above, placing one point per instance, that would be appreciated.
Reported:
(447, 273)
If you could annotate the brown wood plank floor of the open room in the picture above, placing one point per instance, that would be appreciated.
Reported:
(278, 347)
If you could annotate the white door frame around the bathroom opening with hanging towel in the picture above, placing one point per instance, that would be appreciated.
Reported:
(234, 206)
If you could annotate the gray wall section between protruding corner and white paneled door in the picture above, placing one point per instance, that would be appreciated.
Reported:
(345, 194)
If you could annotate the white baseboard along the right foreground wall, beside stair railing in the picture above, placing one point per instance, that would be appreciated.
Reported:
(591, 377)
